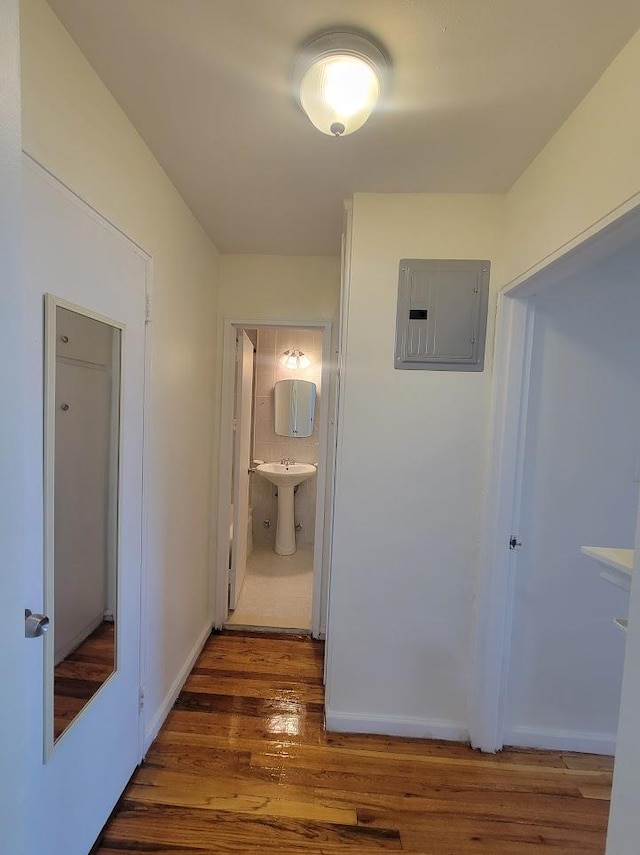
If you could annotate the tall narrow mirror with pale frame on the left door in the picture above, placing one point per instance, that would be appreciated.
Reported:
(82, 441)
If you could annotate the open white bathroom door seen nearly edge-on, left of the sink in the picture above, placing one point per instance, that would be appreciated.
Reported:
(241, 463)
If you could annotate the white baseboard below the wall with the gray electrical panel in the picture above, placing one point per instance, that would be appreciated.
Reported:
(396, 726)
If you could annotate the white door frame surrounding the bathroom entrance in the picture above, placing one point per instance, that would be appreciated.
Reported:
(323, 478)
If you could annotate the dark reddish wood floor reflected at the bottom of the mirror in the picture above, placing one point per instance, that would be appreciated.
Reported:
(78, 677)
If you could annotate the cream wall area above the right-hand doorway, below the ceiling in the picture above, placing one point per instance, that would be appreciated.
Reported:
(587, 172)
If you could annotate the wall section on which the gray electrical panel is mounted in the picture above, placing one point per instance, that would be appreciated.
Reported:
(409, 484)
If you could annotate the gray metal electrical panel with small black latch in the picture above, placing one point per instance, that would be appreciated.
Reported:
(442, 314)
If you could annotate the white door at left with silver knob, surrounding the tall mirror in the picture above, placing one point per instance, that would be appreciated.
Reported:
(76, 256)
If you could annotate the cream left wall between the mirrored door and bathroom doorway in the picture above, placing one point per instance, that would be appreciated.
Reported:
(74, 128)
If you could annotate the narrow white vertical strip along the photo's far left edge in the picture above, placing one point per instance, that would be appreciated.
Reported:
(13, 385)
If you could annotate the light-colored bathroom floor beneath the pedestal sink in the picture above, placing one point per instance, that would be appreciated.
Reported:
(277, 590)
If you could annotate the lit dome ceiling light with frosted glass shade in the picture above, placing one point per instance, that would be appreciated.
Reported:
(339, 77)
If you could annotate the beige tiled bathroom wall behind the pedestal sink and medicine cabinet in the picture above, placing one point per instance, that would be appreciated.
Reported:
(270, 447)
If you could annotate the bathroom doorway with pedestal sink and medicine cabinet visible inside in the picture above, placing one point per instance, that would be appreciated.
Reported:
(266, 576)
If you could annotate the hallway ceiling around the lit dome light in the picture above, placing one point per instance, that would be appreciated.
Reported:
(478, 87)
